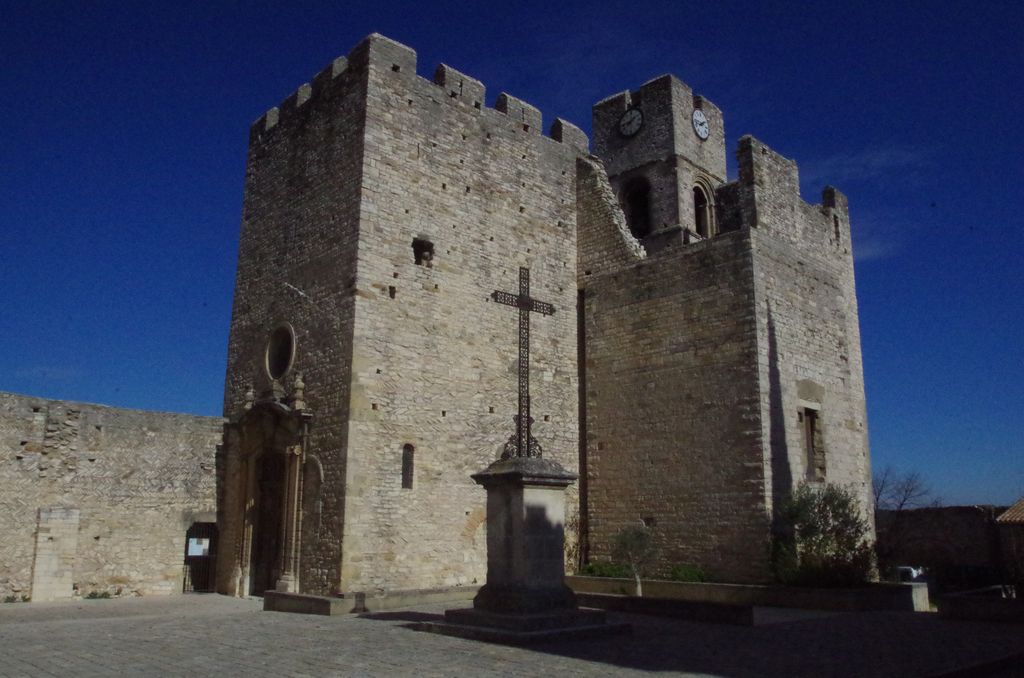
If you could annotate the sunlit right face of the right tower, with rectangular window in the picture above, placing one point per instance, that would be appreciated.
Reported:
(809, 336)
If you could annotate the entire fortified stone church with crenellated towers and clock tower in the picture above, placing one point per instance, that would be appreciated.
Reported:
(698, 355)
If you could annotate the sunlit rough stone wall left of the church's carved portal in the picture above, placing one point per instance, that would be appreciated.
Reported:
(100, 498)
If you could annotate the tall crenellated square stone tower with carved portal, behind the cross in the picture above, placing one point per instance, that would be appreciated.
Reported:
(370, 372)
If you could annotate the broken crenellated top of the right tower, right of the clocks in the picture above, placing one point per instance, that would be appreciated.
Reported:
(770, 193)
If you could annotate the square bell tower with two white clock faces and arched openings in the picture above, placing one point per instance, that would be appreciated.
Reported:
(664, 149)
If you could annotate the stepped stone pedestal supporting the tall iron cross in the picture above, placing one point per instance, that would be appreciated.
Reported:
(526, 598)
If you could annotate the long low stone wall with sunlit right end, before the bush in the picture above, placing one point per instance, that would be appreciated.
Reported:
(909, 598)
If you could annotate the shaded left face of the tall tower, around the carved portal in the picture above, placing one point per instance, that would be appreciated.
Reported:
(297, 267)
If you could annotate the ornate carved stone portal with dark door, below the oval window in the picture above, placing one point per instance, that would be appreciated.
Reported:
(272, 443)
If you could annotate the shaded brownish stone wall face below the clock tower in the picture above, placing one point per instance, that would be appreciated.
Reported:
(673, 414)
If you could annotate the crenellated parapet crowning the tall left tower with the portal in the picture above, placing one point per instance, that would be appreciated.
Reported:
(383, 56)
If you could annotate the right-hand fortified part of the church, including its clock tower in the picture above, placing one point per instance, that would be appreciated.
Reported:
(723, 368)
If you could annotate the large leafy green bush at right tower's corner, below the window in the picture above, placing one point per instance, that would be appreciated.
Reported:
(822, 539)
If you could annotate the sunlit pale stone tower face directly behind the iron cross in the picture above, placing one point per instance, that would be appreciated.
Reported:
(435, 357)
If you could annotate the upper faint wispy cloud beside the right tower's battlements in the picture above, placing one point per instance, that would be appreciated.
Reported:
(868, 164)
